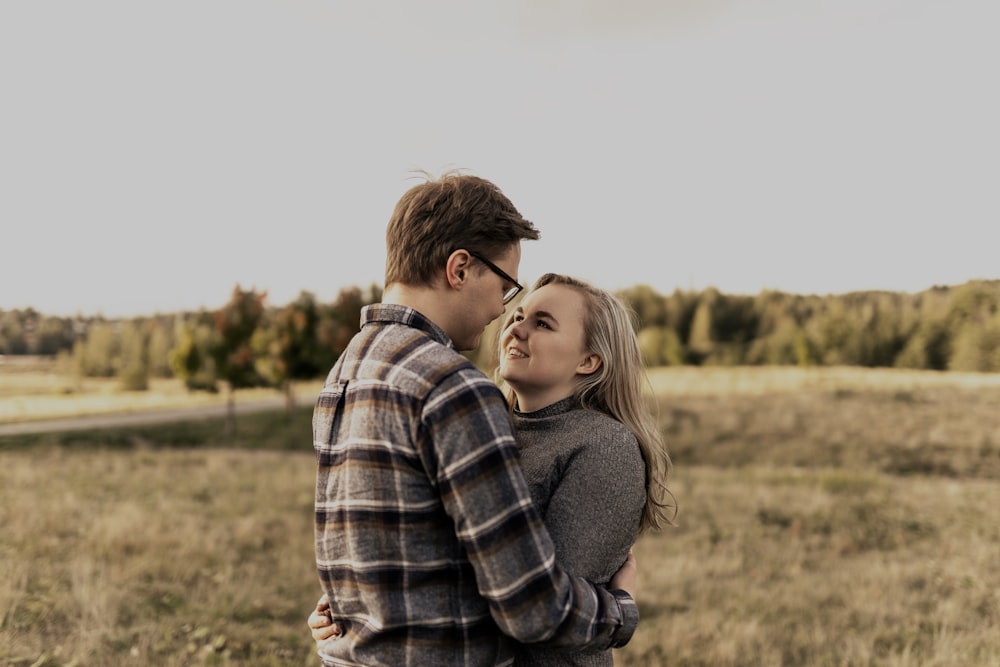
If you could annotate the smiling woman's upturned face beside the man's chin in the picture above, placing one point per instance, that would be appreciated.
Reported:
(542, 349)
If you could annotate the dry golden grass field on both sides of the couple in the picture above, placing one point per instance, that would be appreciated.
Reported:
(827, 517)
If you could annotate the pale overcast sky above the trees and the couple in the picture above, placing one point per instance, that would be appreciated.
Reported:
(155, 154)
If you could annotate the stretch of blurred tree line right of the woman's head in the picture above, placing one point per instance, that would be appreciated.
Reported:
(942, 328)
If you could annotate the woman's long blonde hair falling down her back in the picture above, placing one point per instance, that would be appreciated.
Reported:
(616, 388)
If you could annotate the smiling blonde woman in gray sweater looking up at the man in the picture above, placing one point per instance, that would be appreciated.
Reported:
(570, 366)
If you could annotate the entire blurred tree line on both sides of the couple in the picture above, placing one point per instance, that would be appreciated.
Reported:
(248, 343)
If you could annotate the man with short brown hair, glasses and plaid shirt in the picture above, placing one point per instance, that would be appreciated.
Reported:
(427, 542)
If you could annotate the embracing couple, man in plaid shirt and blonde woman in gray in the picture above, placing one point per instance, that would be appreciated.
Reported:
(466, 521)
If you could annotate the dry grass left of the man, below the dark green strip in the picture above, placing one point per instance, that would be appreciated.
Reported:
(155, 557)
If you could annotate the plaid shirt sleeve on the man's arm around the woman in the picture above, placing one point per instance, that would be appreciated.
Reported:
(472, 455)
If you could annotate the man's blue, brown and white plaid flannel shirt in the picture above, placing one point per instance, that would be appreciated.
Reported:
(427, 542)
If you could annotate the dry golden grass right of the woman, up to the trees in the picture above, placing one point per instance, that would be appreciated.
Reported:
(828, 517)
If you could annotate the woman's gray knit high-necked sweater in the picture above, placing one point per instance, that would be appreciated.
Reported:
(587, 478)
